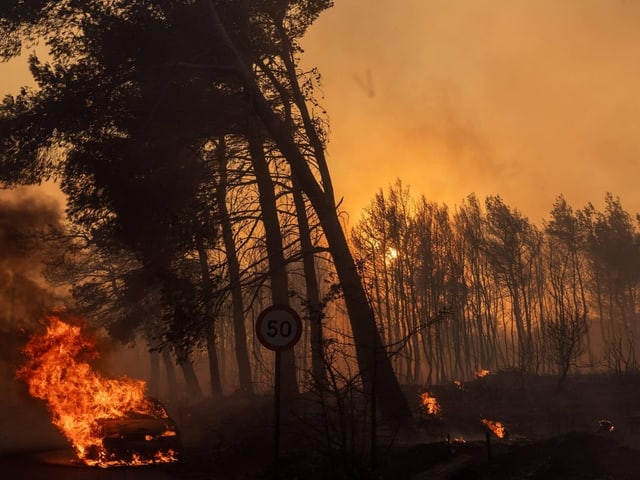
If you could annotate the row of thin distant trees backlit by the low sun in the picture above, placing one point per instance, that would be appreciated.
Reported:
(517, 296)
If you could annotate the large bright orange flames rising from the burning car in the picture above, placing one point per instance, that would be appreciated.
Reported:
(79, 398)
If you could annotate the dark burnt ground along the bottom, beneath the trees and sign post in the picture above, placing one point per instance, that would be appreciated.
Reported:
(552, 435)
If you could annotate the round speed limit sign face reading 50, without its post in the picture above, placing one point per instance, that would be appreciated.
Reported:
(278, 327)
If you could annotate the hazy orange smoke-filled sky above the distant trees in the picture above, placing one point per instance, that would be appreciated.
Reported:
(527, 99)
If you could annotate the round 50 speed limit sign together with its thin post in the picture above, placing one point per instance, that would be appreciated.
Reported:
(278, 328)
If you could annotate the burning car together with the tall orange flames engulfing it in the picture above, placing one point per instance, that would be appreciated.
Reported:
(96, 414)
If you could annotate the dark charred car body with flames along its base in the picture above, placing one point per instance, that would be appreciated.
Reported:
(136, 438)
